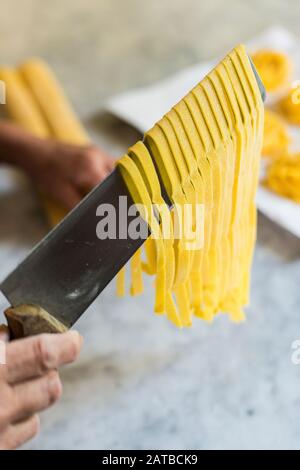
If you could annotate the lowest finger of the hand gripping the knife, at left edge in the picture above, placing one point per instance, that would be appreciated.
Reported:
(18, 434)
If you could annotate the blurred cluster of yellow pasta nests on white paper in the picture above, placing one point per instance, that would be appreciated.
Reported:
(282, 164)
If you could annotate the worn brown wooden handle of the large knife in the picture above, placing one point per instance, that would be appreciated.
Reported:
(29, 320)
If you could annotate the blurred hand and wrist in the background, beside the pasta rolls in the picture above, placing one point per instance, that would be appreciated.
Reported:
(63, 171)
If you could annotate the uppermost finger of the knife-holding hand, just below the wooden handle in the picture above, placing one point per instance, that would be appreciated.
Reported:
(32, 357)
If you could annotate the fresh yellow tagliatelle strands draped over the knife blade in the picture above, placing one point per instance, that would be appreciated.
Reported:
(206, 150)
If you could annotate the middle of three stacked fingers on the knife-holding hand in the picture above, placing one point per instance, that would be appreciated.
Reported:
(36, 395)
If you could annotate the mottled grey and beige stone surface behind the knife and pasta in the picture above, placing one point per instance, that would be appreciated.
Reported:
(140, 383)
